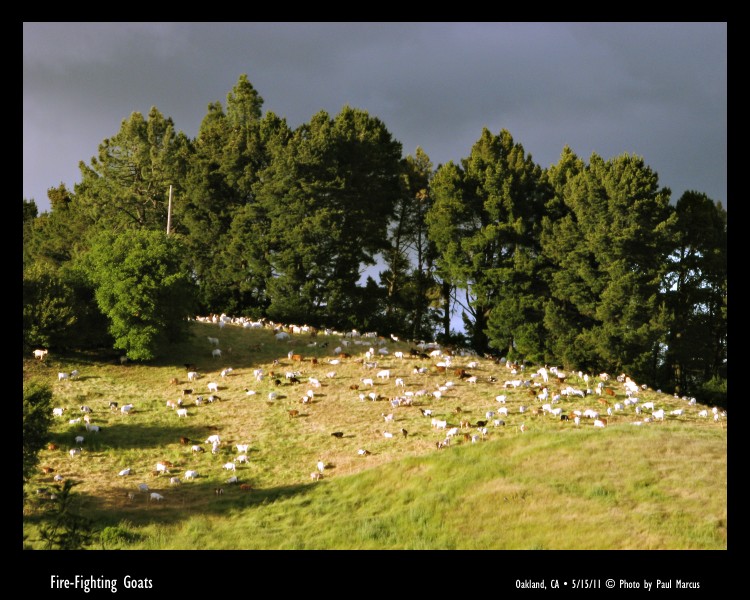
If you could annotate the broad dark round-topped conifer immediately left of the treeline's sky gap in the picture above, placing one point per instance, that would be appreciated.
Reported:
(328, 196)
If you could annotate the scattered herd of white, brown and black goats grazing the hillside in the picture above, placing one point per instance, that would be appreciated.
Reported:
(360, 395)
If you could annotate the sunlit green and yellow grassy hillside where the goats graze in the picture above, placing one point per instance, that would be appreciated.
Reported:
(552, 486)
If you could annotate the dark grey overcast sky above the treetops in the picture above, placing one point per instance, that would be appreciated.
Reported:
(657, 90)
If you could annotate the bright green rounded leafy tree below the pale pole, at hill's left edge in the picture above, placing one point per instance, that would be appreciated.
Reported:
(141, 287)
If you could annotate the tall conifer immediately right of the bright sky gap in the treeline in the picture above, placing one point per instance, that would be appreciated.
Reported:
(485, 222)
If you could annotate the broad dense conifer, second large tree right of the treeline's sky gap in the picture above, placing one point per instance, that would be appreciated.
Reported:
(608, 251)
